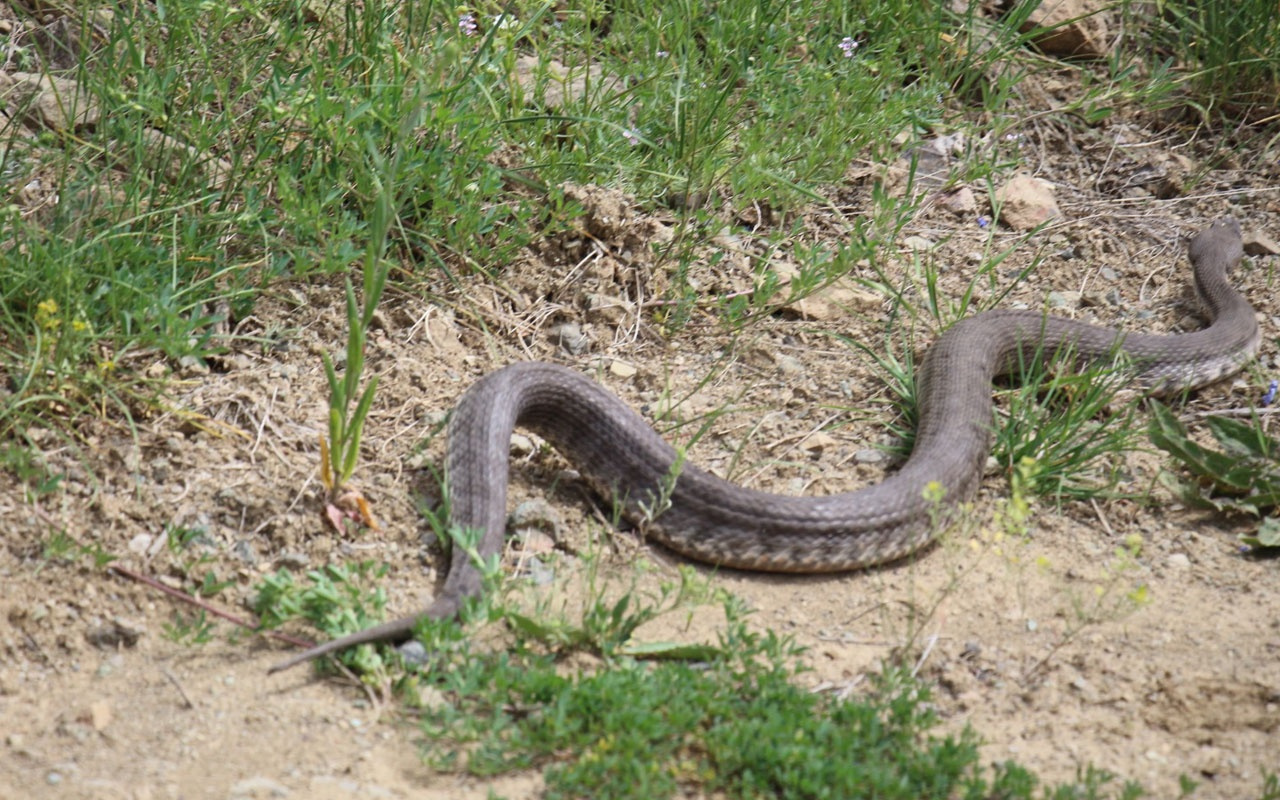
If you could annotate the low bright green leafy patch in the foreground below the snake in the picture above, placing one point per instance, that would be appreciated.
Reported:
(733, 724)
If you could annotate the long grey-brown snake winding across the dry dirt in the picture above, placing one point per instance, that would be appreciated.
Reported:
(719, 523)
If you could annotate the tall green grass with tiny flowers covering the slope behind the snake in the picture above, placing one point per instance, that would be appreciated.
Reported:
(756, 103)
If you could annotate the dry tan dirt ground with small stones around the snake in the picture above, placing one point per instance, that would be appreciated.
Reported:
(97, 702)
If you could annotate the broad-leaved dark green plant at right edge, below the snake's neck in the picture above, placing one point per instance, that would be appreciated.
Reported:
(1242, 478)
